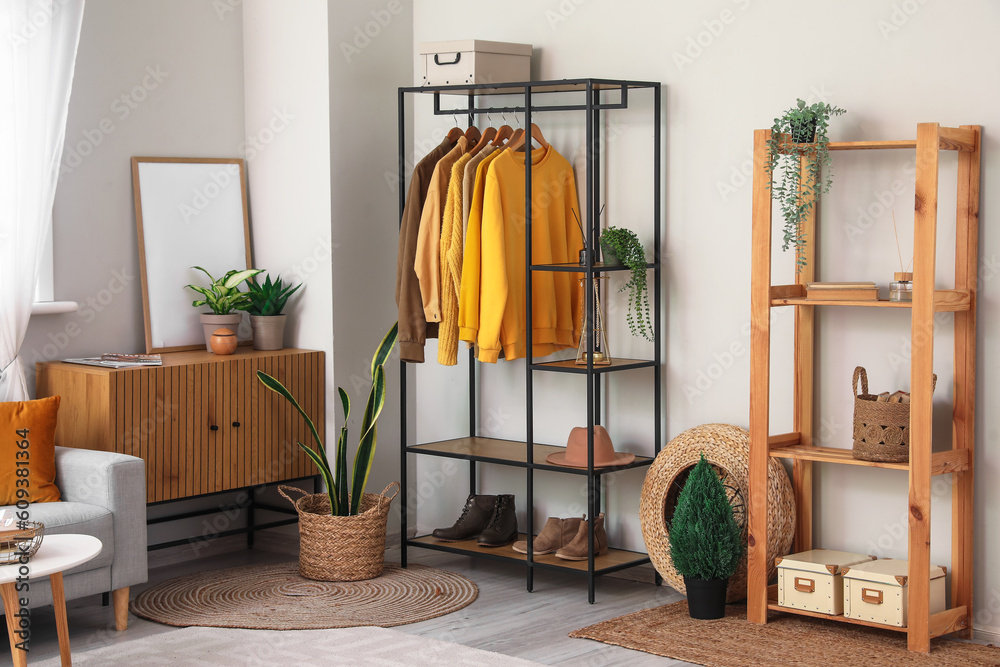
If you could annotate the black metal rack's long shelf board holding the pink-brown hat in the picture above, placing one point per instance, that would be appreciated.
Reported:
(511, 453)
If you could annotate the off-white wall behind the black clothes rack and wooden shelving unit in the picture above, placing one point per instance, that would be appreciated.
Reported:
(730, 67)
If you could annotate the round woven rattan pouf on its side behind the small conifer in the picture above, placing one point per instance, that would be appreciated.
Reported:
(727, 448)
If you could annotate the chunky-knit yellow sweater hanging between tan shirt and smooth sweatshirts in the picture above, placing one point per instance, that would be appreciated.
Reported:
(451, 235)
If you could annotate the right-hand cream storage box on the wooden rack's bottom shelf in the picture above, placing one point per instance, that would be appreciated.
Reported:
(878, 591)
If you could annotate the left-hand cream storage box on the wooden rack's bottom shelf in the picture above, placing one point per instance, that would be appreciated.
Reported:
(812, 580)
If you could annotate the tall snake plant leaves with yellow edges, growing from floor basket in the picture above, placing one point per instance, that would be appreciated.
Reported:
(346, 492)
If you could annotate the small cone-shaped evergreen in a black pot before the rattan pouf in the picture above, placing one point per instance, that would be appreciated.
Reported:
(705, 541)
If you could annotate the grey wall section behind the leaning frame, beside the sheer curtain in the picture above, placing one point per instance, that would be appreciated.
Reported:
(152, 78)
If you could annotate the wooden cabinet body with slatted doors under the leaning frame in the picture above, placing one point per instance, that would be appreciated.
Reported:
(203, 423)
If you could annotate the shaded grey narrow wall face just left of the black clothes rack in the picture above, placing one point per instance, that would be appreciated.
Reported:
(370, 56)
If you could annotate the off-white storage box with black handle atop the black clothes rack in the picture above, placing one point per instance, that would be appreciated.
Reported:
(473, 61)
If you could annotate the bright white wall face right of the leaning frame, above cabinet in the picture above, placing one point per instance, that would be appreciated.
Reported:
(287, 114)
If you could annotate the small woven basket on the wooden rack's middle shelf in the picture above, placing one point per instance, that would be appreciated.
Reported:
(881, 430)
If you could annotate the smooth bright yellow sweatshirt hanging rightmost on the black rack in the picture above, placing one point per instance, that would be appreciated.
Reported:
(555, 239)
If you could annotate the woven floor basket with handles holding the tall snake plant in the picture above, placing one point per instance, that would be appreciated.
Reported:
(341, 548)
